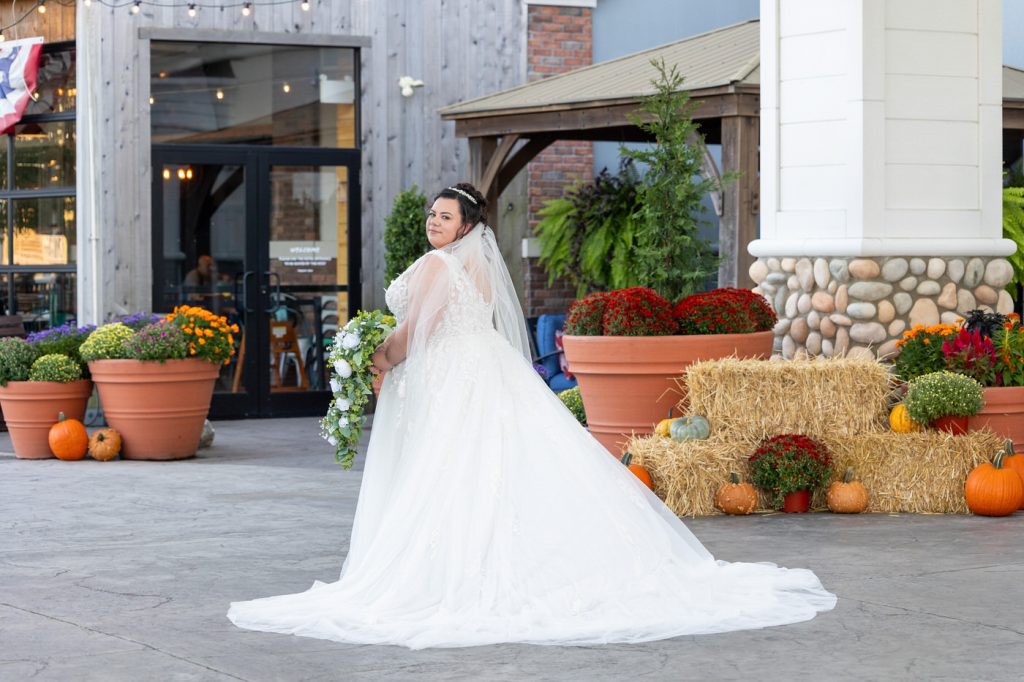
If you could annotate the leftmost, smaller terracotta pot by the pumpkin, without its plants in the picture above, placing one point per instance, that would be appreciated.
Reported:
(31, 408)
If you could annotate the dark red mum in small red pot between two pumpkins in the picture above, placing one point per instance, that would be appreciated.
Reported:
(791, 465)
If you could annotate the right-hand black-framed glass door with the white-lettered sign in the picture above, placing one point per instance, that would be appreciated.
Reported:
(313, 240)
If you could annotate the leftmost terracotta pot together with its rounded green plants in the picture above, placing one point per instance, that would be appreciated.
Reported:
(39, 379)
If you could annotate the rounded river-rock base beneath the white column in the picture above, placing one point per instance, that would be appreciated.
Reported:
(861, 307)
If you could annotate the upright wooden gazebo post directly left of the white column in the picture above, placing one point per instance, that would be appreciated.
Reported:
(739, 225)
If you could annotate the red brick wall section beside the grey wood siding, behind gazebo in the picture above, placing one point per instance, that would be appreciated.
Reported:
(560, 39)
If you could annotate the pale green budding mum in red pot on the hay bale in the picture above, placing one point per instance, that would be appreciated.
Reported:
(944, 400)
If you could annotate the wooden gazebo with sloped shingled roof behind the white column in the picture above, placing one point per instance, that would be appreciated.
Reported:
(508, 130)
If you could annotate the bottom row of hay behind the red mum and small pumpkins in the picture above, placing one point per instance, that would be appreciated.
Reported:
(913, 473)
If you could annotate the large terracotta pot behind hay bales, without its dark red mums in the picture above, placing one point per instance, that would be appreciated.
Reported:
(628, 383)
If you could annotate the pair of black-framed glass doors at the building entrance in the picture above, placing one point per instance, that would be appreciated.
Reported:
(269, 238)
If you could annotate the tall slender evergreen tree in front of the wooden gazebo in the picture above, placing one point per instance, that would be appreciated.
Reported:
(671, 258)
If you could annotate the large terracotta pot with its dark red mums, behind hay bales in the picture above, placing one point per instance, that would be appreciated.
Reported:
(628, 349)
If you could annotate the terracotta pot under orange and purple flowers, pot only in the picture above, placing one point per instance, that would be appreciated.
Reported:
(158, 408)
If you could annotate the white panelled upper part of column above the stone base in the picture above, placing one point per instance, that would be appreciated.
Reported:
(881, 129)
